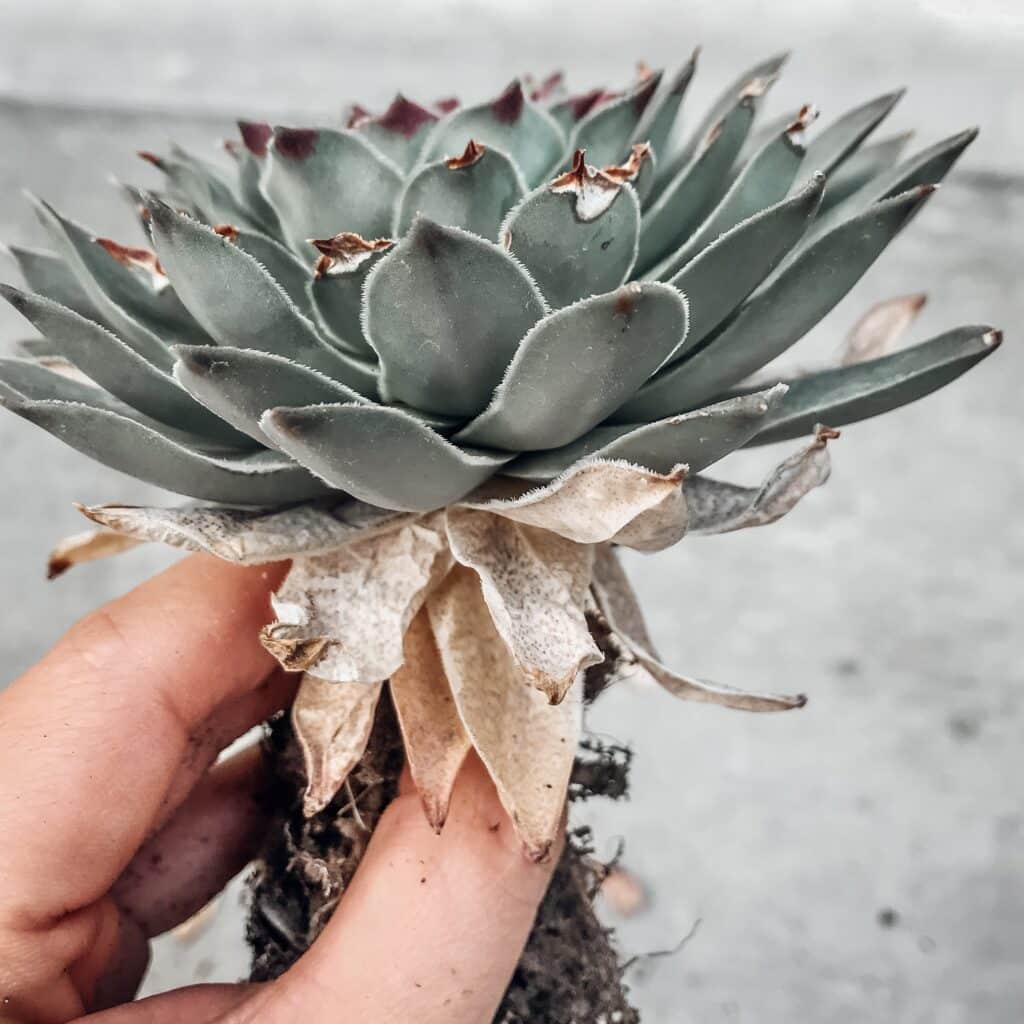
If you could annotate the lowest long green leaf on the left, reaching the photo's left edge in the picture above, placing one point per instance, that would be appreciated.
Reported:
(141, 451)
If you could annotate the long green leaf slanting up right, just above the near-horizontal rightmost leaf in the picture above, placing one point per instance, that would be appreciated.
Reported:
(780, 314)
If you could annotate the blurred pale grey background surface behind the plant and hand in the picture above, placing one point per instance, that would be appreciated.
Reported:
(860, 861)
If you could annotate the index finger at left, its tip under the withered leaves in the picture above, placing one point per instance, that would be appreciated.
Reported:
(92, 738)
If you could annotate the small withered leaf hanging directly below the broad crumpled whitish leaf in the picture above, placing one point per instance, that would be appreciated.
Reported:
(332, 722)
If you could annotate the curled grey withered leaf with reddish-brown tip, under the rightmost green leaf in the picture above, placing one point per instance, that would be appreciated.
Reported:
(716, 507)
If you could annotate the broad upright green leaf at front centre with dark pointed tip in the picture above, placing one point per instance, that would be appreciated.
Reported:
(446, 311)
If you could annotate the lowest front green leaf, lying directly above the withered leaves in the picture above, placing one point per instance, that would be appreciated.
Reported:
(380, 455)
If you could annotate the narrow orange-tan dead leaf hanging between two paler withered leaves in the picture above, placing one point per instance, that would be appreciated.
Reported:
(436, 740)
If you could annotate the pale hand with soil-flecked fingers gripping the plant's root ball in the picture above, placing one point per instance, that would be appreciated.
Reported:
(116, 825)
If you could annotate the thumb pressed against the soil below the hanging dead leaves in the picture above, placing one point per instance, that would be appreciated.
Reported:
(433, 926)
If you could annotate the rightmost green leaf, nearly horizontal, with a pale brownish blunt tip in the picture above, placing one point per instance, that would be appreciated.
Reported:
(866, 390)
